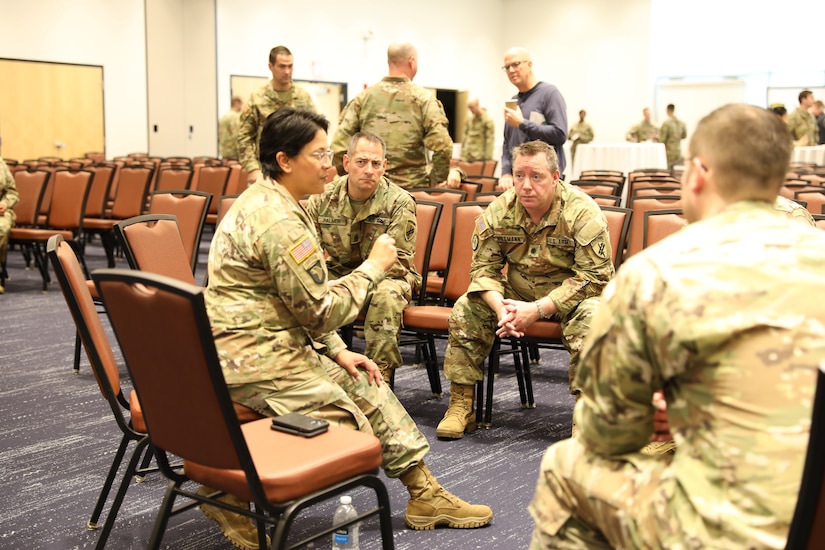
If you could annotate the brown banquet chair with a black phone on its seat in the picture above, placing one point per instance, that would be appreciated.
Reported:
(280, 473)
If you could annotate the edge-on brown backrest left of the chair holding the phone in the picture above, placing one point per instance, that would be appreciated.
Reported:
(73, 284)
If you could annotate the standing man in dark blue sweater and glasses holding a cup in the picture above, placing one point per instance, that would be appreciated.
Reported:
(541, 113)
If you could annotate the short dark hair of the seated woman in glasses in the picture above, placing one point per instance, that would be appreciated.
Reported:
(287, 131)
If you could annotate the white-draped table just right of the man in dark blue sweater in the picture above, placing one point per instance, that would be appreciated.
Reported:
(618, 156)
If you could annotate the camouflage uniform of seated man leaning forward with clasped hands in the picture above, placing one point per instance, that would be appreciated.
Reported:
(567, 256)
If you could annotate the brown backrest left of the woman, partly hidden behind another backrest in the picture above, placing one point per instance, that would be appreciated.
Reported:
(190, 208)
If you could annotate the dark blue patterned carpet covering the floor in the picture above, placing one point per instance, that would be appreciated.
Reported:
(57, 439)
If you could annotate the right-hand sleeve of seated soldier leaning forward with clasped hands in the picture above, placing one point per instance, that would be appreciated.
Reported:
(593, 266)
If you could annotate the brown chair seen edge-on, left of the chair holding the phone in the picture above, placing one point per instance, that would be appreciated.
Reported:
(126, 410)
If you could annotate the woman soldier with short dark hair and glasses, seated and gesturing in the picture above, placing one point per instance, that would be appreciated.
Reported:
(274, 314)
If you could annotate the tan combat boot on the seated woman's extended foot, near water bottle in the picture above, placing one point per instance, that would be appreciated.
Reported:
(431, 504)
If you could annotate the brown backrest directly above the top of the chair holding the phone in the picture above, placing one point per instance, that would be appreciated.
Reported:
(153, 243)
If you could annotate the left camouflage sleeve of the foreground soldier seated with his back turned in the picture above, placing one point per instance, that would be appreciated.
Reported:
(617, 372)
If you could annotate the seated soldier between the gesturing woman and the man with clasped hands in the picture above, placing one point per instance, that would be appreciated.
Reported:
(349, 215)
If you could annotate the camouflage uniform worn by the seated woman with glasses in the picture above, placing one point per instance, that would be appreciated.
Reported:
(274, 314)
